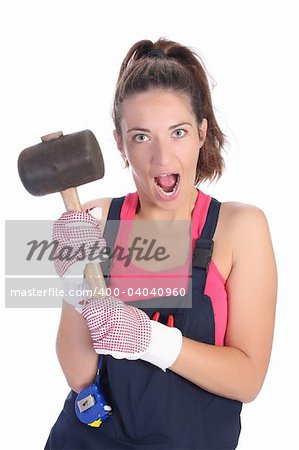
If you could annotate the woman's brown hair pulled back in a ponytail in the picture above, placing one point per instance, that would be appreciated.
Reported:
(177, 68)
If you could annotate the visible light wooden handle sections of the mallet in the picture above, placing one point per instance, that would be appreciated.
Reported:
(93, 272)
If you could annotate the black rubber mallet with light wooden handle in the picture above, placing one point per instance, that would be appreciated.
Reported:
(60, 164)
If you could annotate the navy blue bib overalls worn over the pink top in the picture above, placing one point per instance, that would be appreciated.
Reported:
(155, 409)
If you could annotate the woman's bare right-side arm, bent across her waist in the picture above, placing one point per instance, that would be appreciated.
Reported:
(238, 369)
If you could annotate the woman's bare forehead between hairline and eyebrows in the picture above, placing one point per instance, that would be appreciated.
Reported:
(156, 105)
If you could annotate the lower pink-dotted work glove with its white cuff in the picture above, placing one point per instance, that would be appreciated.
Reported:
(124, 331)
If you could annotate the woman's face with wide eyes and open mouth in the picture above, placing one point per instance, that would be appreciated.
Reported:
(161, 140)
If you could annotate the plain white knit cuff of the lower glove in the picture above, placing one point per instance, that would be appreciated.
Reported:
(165, 345)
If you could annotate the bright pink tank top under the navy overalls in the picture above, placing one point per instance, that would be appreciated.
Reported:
(121, 277)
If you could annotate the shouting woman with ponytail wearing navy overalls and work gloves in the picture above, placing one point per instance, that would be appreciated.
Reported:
(176, 374)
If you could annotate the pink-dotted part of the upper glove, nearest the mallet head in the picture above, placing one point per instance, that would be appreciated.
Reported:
(77, 231)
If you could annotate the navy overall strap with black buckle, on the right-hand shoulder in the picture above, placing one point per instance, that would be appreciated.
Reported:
(203, 249)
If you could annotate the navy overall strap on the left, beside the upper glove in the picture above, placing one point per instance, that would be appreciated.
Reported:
(110, 231)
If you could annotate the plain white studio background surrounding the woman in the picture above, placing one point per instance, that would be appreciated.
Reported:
(60, 61)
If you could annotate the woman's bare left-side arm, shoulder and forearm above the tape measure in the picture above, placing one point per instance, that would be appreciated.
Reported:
(74, 348)
